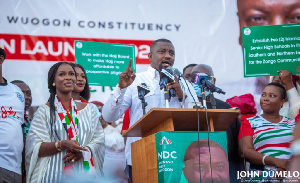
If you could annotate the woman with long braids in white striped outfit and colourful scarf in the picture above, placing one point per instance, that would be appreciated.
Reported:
(65, 136)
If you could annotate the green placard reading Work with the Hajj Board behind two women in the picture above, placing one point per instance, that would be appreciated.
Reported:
(104, 62)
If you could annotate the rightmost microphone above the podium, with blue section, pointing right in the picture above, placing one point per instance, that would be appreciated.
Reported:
(201, 79)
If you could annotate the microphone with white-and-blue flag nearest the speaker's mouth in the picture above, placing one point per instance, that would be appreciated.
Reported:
(166, 76)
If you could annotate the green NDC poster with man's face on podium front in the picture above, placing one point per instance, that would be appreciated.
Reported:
(171, 148)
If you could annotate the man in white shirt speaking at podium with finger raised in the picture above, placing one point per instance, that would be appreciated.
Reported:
(125, 95)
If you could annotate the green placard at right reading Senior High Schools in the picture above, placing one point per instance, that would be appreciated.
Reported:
(268, 49)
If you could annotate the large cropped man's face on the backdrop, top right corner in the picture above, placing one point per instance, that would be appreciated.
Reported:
(267, 12)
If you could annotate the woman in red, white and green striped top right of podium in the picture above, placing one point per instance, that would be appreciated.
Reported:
(264, 140)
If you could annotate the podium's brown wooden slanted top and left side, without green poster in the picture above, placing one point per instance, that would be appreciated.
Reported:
(144, 156)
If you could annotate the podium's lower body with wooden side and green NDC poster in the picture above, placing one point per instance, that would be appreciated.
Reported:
(176, 157)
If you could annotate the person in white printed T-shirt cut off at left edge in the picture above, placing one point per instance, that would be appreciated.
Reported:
(12, 106)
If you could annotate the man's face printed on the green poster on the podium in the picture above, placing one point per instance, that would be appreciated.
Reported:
(219, 162)
